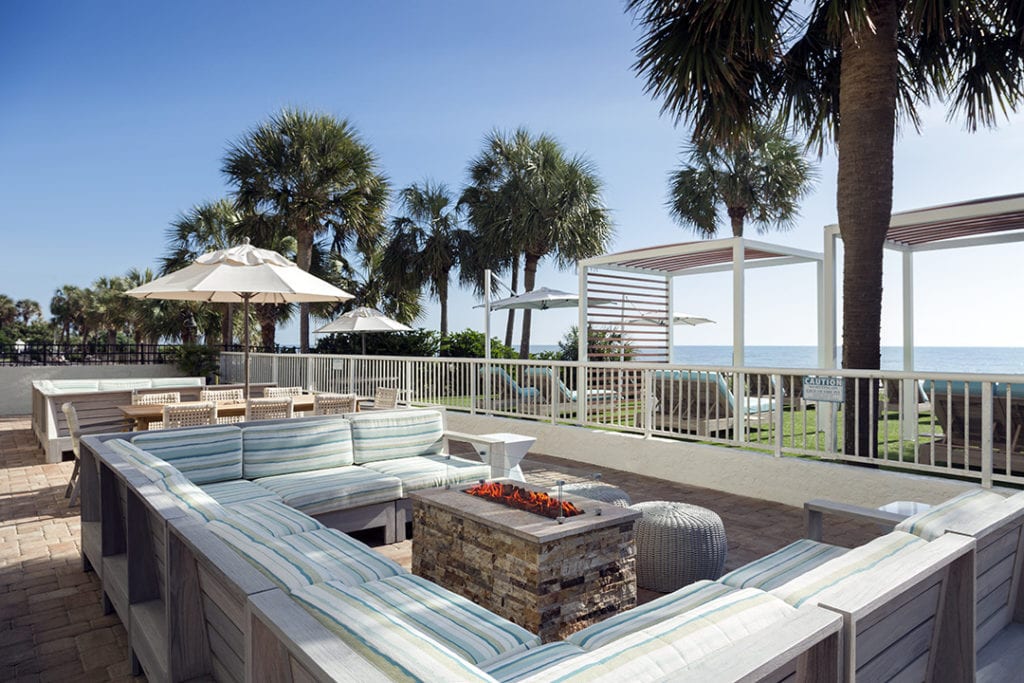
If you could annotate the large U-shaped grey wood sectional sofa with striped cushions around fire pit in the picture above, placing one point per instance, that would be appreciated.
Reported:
(223, 551)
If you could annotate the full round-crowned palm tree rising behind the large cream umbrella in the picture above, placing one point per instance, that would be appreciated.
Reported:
(314, 174)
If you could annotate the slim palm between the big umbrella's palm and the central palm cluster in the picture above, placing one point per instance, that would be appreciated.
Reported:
(426, 243)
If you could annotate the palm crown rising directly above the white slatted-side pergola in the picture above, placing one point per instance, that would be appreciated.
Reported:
(760, 177)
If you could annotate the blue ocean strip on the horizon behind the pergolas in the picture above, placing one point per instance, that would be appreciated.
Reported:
(999, 361)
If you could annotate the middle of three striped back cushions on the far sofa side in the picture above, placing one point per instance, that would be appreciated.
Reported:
(297, 447)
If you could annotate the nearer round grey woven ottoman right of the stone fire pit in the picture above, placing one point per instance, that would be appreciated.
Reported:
(677, 544)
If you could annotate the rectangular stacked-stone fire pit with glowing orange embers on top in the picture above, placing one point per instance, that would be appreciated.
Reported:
(550, 578)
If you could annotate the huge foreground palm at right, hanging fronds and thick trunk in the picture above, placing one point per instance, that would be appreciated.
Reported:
(723, 66)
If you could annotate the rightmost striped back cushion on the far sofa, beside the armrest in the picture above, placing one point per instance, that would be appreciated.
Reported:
(397, 436)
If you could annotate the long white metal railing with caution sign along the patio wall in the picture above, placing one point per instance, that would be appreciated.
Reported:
(966, 425)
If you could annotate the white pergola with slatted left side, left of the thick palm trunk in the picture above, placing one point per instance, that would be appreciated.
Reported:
(667, 263)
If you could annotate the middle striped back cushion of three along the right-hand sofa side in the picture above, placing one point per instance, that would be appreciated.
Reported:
(850, 571)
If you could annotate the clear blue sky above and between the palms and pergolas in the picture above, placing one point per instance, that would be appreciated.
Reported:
(115, 118)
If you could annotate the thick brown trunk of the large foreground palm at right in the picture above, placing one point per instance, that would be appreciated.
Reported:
(868, 100)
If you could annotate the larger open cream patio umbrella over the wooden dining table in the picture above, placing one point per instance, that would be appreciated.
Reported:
(243, 274)
